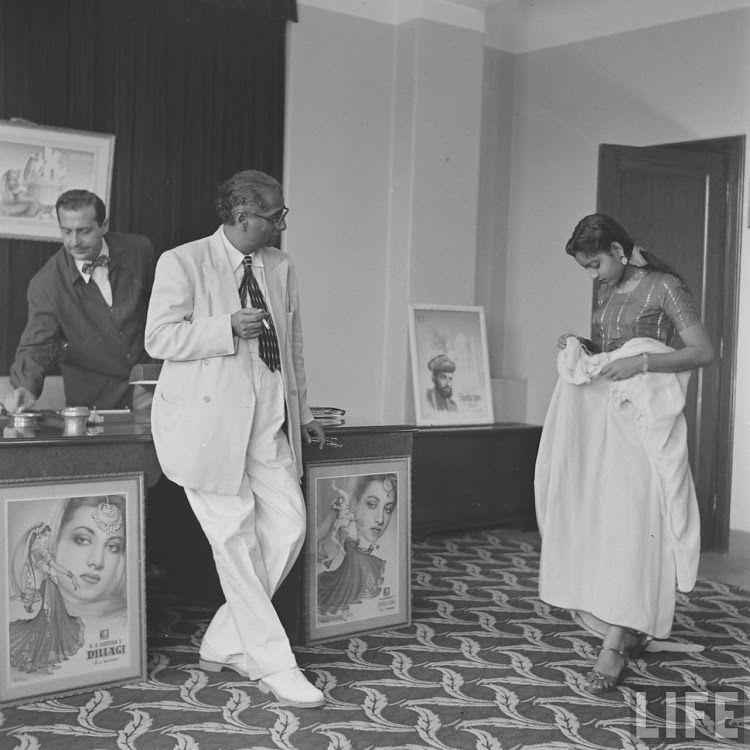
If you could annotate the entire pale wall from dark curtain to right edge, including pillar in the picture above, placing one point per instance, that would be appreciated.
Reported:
(383, 114)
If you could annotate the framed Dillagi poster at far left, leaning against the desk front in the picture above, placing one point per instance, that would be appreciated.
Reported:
(72, 611)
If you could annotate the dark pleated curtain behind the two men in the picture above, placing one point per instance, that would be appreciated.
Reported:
(192, 89)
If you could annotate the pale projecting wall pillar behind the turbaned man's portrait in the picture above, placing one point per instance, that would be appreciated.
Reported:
(435, 168)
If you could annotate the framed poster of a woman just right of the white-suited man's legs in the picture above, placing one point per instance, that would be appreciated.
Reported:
(358, 549)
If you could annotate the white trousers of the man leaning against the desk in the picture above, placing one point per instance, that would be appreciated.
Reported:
(255, 536)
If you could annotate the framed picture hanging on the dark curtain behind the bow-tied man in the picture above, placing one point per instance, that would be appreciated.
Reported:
(37, 164)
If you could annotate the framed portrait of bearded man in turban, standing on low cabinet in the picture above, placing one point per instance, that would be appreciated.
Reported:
(450, 366)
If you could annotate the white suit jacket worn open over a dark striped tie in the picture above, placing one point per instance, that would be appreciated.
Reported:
(202, 411)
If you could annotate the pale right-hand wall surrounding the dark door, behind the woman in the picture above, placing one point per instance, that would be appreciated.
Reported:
(677, 82)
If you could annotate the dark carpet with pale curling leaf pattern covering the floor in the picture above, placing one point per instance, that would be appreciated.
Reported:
(484, 665)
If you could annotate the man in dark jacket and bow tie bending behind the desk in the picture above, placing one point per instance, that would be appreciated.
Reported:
(87, 311)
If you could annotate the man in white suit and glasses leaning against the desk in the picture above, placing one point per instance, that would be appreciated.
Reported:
(224, 317)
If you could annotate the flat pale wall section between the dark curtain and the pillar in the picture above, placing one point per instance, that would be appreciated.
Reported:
(337, 174)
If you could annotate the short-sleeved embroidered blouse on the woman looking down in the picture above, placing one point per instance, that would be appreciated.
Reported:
(658, 307)
